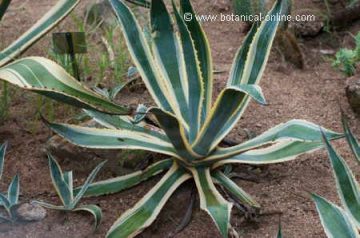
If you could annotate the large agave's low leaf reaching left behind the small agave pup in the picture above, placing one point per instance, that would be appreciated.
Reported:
(118, 184)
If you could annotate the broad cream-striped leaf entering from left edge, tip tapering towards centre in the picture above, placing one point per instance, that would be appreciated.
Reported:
(45, 77)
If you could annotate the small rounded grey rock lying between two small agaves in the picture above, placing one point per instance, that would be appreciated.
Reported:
(30, 212)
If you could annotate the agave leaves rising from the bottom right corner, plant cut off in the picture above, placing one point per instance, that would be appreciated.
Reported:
(342, 222)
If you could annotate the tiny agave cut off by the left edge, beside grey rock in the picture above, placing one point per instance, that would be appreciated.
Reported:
(11, 199)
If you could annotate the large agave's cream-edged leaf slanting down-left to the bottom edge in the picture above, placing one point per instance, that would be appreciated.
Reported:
(135, 220)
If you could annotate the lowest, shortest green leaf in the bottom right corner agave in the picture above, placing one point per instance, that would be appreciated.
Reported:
(335, 221)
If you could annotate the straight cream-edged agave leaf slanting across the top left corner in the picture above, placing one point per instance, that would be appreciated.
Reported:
(44, 25)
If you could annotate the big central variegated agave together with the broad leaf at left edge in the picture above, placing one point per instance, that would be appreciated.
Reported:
(178, 72)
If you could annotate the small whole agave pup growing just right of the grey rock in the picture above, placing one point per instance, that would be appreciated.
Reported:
(63, 184)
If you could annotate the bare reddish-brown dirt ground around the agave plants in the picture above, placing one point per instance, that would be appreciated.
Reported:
(313, 93)
